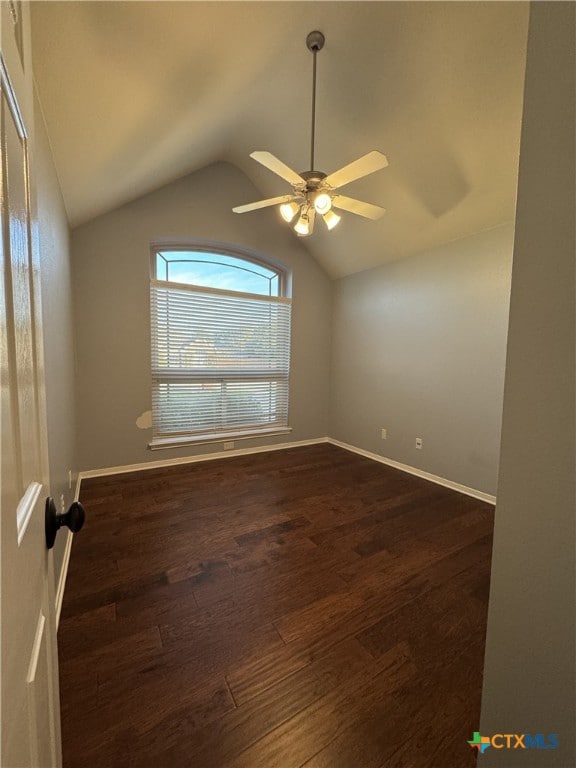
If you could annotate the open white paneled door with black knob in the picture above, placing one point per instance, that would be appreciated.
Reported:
(29, 673)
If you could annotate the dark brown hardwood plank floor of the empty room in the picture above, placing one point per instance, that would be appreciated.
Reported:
(300, 608)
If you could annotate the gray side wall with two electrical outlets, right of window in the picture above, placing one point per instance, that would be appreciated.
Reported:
(419, 348)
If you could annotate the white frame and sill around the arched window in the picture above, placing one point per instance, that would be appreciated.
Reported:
(284, 276)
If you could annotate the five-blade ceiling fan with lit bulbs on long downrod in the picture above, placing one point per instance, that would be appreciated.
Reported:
(313, 191)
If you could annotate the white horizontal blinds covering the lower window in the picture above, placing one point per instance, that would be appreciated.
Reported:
(220, 361)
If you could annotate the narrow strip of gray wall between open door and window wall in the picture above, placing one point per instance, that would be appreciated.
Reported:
(56, 289)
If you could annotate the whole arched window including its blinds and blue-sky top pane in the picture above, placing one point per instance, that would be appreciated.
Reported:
(220, 344)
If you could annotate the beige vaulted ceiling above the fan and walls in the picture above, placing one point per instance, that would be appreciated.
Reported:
(137, 94)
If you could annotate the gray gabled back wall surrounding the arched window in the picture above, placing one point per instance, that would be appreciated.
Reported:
(111, 291)
